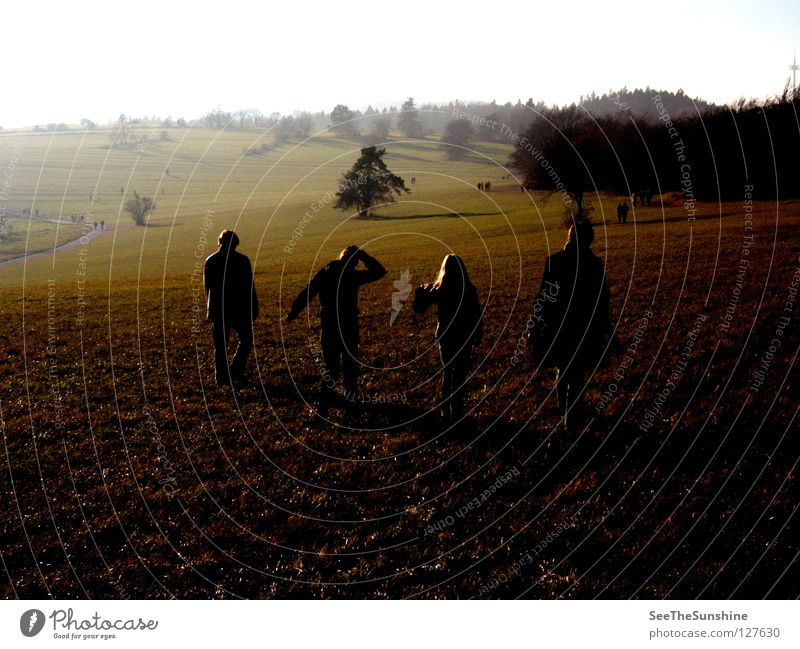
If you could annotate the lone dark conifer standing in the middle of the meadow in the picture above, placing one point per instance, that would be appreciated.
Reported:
(369, 182)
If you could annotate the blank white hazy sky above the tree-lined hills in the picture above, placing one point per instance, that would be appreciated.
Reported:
(61, 61)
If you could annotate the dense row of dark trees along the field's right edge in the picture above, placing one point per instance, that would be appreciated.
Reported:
(707, 156)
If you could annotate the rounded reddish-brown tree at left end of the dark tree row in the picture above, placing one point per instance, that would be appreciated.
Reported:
(562, 152)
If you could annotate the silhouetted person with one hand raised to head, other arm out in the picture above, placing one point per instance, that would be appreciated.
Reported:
(337, 286)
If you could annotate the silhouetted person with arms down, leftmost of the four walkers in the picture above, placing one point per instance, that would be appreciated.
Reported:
(232, 304)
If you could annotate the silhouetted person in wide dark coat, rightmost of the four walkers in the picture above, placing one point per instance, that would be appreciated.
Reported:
(571, 329)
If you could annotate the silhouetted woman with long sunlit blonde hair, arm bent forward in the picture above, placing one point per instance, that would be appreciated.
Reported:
(460, 328)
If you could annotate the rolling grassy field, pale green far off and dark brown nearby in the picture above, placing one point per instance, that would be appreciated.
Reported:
(127, 474)
